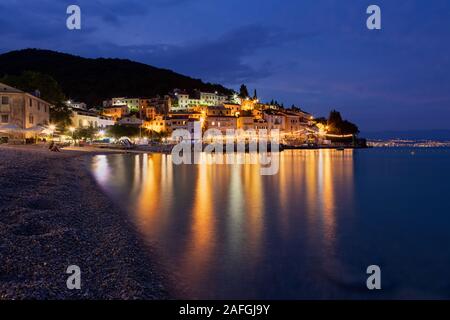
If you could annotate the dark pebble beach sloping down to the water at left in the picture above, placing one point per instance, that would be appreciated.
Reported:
(53, 215)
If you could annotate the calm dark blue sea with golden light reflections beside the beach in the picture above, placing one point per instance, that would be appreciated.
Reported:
(308, 232)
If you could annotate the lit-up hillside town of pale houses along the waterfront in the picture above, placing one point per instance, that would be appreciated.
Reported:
(26, 118)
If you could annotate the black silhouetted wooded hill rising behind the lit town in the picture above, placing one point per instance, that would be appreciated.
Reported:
(92, 80)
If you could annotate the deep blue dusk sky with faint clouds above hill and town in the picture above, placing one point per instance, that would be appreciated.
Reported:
(316, 54)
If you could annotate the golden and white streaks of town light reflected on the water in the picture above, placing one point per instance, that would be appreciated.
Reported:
(203, 215)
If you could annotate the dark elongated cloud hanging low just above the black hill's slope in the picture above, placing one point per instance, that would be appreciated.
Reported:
(226, 59)
